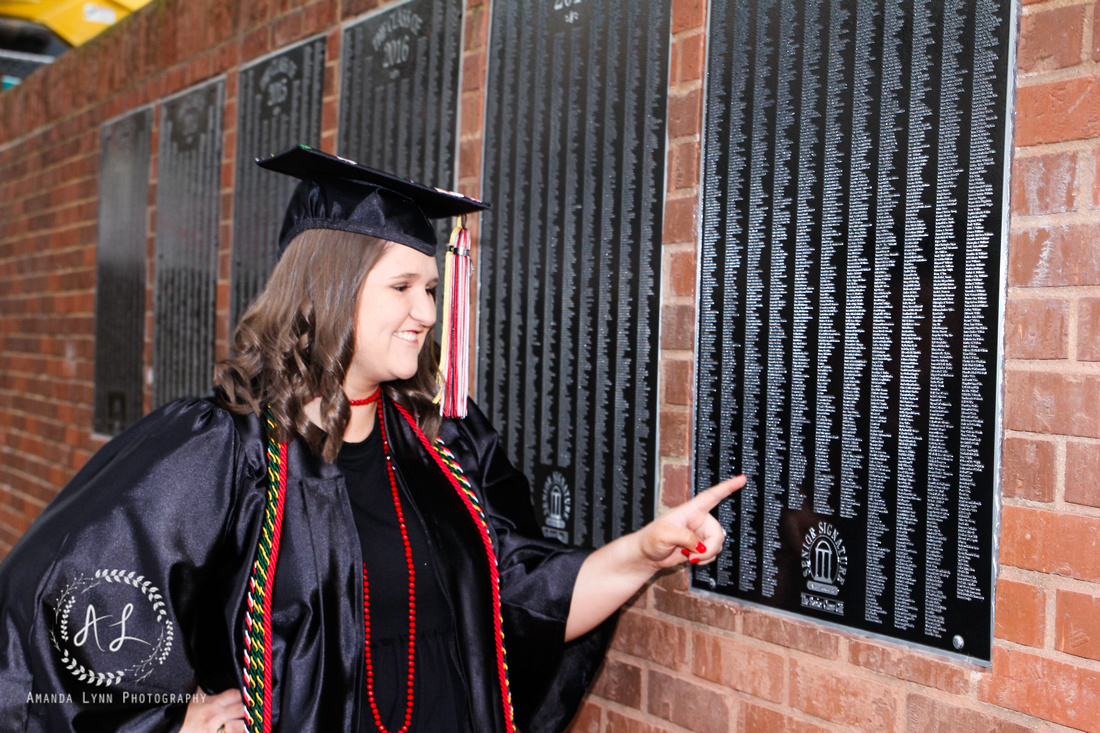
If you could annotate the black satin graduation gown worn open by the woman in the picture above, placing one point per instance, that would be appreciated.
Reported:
(129, 592)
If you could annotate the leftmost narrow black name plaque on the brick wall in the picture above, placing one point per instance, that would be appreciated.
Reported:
(120, 270)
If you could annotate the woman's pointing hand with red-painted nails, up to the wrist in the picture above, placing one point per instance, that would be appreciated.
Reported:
(688, 533)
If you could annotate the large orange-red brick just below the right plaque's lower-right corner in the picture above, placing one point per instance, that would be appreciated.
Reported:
(1046, 688)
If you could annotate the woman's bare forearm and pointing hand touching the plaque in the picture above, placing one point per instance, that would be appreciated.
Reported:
(614, 573)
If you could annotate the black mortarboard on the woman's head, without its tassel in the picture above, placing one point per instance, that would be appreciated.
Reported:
(339, 194)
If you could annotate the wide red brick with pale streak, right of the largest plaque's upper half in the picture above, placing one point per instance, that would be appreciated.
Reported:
(1050, 257)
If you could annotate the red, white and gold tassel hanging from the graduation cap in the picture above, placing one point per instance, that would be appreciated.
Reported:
(455, 348)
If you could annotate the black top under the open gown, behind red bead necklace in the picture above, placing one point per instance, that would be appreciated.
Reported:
(439, 699)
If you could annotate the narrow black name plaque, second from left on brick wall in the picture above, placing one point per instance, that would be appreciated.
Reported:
(188, 212)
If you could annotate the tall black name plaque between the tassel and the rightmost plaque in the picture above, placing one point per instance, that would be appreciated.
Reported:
(570, 255)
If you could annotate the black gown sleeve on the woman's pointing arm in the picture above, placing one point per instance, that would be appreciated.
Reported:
(548, 676)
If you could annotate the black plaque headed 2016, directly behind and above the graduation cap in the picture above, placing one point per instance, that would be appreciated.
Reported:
(400, 94)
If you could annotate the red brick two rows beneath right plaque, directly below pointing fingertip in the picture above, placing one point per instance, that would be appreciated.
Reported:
(740, 666)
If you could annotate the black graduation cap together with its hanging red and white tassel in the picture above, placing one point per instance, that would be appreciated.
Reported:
(339, 194)
